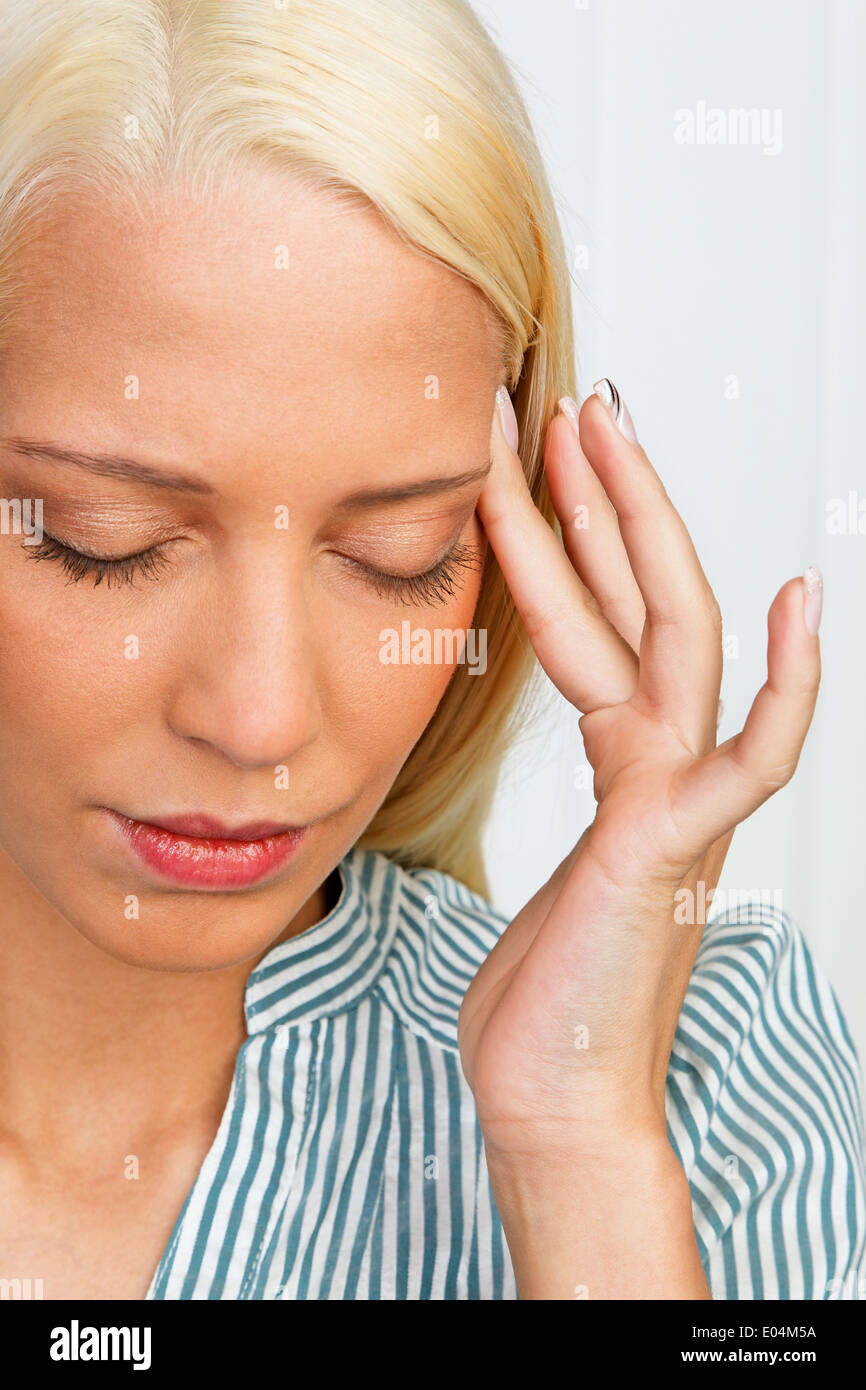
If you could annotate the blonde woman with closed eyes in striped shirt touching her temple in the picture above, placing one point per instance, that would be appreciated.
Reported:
(286, 322)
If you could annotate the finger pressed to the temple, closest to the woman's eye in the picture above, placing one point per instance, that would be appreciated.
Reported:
(589, 662)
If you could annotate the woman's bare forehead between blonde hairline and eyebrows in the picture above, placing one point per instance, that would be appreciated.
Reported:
(275, 301)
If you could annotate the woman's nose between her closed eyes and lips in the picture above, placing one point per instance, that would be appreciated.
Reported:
(248, 685)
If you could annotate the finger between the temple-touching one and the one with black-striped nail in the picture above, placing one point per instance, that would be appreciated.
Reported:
(591, 533)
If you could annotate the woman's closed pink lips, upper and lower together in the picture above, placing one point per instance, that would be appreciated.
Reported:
(201, 862)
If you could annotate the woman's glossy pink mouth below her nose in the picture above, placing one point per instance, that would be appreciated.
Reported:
(198, 851)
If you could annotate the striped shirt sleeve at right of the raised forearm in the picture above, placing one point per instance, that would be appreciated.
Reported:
(764, 1107)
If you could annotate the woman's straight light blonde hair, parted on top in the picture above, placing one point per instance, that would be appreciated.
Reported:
(404, 105)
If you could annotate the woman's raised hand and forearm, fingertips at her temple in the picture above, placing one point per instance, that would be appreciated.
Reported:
(568, 1028)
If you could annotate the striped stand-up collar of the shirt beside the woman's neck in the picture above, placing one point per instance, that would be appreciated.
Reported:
(330, 967)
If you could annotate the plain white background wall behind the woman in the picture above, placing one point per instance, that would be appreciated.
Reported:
(708, 263)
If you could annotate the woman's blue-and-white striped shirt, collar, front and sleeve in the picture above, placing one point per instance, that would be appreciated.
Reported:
(350, 1163)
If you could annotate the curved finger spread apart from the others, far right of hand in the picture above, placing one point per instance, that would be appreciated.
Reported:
(730, 783)
